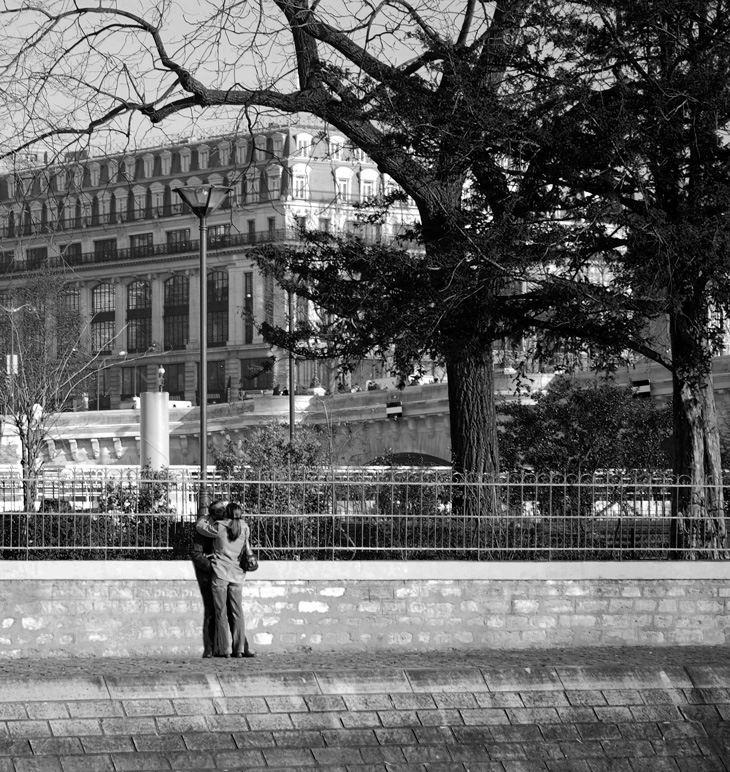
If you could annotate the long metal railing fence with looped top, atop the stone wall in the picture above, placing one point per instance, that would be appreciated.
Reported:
(369, 514)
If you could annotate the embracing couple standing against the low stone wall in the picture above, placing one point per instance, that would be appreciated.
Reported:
(220, 547)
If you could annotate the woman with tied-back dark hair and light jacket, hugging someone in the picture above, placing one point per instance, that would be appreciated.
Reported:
(230, 540)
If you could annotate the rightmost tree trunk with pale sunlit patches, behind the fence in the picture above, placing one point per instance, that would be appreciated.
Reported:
(698, 515)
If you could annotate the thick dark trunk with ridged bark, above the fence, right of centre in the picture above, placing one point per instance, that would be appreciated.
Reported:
(473, 415)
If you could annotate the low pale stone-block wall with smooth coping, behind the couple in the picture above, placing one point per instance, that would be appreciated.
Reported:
(90, 609)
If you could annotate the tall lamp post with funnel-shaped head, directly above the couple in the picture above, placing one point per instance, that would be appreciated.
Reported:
(203, 200)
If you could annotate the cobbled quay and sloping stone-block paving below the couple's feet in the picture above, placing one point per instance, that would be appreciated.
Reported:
(586, 710)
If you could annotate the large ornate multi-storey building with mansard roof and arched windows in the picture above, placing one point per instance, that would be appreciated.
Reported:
(117, 234)
